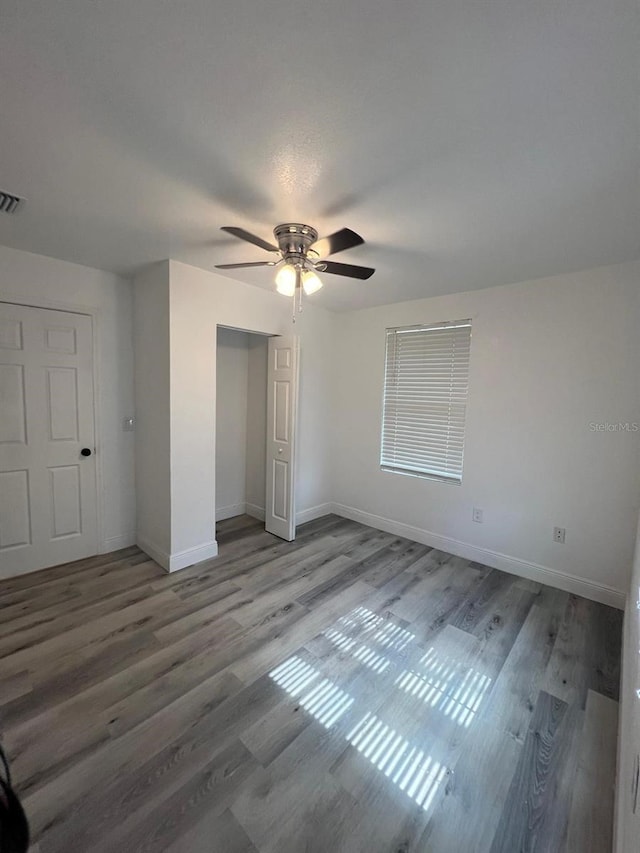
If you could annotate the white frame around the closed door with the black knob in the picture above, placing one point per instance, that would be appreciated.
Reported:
(94, 313)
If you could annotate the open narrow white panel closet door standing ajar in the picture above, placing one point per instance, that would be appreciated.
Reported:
(282, 401)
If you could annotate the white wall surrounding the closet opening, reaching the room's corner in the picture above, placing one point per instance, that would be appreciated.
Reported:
(199, 302)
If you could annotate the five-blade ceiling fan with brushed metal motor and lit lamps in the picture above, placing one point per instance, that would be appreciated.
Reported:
(302, 252)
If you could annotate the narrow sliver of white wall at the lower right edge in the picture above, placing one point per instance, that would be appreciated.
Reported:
(628, 823)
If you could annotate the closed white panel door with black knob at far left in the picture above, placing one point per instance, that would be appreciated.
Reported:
(47, 457)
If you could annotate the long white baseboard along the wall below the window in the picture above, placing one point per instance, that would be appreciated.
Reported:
(514, 565)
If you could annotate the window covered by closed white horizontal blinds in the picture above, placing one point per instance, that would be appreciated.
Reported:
(425, 400)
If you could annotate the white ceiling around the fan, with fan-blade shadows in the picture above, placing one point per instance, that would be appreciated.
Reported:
(470, 142)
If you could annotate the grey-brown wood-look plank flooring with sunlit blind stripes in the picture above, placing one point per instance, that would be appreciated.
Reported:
(351, 691)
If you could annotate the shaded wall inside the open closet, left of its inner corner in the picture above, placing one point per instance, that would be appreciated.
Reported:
(232, 378)
